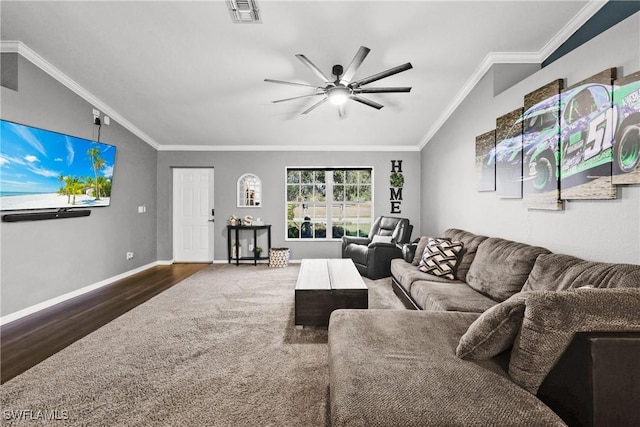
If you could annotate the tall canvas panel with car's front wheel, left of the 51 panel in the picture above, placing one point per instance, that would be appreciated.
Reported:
(541, 146)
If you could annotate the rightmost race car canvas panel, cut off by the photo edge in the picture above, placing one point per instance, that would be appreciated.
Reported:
(626, 145)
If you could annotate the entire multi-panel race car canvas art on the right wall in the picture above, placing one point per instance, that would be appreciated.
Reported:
(574, 143)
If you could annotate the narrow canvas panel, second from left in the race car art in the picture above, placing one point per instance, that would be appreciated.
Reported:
(508, 155)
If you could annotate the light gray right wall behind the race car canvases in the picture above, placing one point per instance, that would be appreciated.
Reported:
(595, 230)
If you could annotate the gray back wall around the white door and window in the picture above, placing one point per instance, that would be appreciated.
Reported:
(270, 168)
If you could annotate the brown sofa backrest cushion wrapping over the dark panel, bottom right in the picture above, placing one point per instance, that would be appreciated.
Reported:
(552, 318)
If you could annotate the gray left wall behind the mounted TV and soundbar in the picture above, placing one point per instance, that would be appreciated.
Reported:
(42, 260)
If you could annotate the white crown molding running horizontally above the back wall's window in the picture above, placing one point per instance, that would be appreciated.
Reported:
(342, 148)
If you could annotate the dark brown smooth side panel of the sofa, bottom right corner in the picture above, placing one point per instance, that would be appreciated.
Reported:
(595, 382)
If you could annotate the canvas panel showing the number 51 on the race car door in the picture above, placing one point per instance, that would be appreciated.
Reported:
(586, 141)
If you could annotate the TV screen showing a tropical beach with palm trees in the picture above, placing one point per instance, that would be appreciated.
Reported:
(41, 169)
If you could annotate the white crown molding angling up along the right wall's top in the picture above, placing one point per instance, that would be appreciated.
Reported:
(492, 58)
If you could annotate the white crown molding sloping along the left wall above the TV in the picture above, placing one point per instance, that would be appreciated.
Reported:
(29, 54)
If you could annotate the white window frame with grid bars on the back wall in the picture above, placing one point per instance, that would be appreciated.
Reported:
(329, 202)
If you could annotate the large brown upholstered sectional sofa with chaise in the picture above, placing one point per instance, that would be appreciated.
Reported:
(516, 335)
